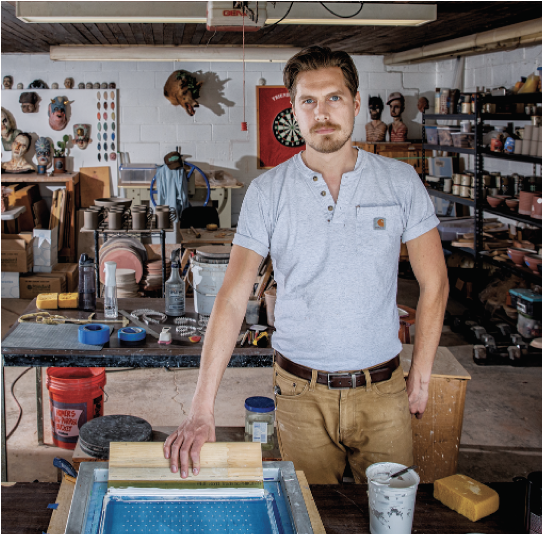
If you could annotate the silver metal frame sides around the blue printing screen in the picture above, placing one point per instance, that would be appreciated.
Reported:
(283, 472)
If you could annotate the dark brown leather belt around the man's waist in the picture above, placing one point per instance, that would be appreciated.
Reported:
(339, 380)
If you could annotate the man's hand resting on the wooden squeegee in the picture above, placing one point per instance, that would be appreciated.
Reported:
(188, 440)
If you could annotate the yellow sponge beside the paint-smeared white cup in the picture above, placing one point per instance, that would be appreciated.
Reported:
(466, 496)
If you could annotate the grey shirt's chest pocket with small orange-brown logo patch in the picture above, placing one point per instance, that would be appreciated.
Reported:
(378, 229)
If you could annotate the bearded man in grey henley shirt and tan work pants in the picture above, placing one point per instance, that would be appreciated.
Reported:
(332, 219)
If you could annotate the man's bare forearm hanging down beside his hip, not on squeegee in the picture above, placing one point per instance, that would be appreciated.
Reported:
(429, 320)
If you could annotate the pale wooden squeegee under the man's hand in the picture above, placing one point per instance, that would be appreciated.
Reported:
(222, 465)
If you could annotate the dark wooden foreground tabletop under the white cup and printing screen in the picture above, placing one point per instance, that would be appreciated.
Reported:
(343, 509)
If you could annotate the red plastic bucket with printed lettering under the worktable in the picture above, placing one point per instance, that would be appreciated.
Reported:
(76, 396)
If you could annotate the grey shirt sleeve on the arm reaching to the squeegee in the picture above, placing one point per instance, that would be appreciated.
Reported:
(253, 230)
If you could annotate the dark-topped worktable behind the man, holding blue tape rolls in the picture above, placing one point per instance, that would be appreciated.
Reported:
(181, 353)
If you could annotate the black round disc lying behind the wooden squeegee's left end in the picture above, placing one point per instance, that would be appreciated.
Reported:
(96, 435)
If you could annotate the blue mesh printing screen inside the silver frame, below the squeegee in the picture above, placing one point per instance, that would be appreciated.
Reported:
(190, 516)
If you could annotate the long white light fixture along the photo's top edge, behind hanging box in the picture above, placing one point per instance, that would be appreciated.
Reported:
(372, 13)
